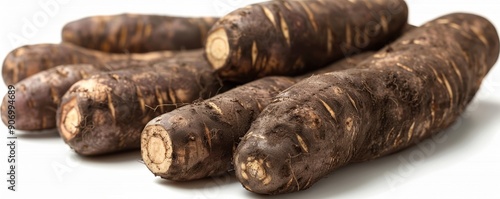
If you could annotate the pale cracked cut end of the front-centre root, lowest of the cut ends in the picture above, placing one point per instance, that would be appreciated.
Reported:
(156, 149)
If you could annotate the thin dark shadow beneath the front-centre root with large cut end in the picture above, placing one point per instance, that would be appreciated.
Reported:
(205, 183)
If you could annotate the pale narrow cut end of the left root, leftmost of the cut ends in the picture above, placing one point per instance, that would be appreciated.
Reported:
(70, 120)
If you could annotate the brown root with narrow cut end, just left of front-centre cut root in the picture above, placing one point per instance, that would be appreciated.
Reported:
(107, 112)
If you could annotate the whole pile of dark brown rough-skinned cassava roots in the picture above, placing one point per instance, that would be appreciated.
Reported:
(279, 93)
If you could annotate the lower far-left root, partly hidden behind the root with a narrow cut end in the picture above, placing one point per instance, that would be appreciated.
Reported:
(38, 96)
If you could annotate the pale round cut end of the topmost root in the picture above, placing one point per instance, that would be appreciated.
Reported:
(217, 49)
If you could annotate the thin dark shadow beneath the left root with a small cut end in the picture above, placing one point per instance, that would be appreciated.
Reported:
(126, 156)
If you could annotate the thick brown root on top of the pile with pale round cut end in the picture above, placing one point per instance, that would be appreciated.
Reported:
(291, 37)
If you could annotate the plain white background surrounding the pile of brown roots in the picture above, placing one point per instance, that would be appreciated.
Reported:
(463, 162)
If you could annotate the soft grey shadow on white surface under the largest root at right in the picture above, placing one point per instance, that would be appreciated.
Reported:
(468, 135)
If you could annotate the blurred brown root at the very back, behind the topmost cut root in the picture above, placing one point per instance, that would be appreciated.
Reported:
(135, 33)
